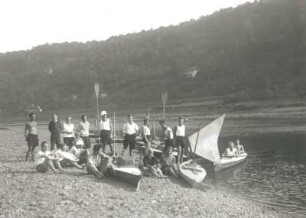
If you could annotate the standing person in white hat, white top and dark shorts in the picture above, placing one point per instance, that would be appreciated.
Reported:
(105, 126)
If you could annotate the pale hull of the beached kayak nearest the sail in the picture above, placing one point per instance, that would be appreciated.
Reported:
(192, 177)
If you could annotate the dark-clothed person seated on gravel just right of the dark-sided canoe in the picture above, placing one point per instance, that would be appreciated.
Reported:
(151, 164)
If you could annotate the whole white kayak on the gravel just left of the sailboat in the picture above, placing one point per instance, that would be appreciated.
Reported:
(192, 172)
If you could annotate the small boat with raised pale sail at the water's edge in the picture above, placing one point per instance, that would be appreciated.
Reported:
(204, 143)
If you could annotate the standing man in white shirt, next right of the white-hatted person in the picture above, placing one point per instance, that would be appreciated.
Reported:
(130, 131)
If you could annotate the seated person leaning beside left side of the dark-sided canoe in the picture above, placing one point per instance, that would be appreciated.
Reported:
(97, 163)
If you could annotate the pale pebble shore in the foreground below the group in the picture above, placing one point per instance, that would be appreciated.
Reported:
(25, 193)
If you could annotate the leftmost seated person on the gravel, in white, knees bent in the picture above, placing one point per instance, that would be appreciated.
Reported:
(45, 160)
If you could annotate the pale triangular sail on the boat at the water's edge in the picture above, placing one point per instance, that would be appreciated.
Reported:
(205, 141)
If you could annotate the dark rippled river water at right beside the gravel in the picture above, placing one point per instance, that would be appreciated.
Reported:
(278, 180)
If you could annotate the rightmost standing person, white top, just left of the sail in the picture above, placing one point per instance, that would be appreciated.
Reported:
(179, 132)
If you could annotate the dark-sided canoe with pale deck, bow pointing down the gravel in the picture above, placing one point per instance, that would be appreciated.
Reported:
(130, 175)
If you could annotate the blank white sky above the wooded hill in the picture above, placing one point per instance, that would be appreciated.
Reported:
(28, 23)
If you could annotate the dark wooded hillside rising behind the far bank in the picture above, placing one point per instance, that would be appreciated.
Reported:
(254, 51)
